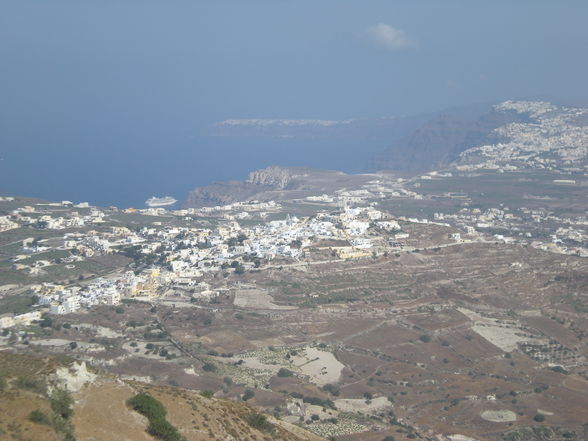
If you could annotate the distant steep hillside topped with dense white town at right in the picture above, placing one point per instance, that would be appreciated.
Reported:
(530, 133)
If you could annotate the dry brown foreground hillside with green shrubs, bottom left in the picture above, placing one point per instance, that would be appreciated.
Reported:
(51, 399)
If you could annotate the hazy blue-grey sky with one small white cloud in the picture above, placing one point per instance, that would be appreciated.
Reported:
(72, 72)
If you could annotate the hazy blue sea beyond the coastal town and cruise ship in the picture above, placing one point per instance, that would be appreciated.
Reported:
(112, 170)
